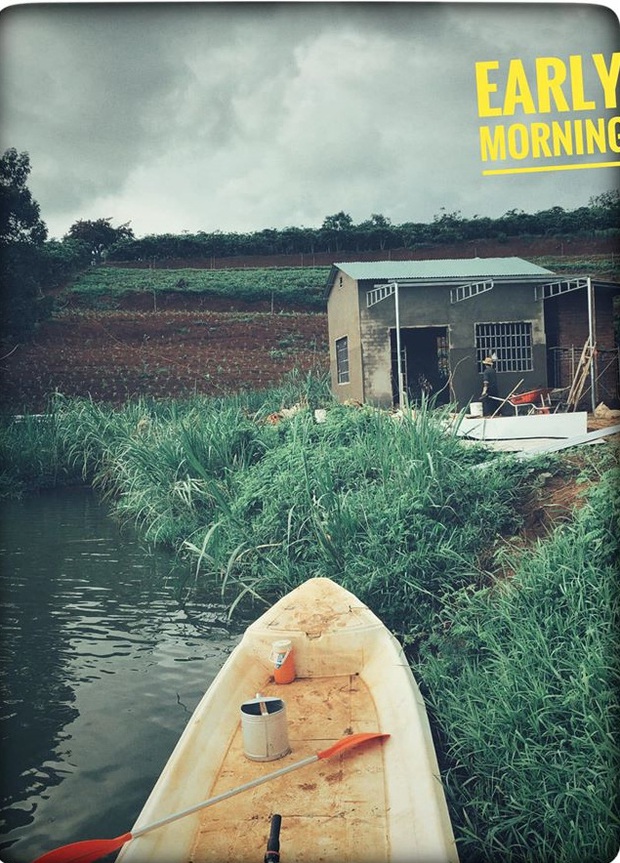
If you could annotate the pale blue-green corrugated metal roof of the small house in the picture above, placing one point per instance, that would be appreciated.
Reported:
(446, 268)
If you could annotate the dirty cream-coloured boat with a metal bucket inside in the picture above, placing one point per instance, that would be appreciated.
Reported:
(380, 801)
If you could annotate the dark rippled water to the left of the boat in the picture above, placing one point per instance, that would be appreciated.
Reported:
(102, 663)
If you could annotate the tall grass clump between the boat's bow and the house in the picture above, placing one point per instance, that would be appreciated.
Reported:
(389, 509)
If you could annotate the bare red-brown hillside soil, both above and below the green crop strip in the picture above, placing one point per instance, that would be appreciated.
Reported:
(191, 344)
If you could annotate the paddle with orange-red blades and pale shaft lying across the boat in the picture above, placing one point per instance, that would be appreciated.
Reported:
(93, 849)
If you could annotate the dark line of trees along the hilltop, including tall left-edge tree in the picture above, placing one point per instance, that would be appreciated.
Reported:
(31, 266)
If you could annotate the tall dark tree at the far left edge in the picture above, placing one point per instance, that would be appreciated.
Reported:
(22, 256)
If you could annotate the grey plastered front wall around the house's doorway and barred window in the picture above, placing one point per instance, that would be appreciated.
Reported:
(430, 306)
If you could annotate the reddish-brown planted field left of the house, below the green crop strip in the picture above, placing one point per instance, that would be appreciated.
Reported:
(113, 356)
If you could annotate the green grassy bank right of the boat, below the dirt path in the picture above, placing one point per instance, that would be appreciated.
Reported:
(524, 686)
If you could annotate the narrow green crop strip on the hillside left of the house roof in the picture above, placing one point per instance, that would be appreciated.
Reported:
(293, 285)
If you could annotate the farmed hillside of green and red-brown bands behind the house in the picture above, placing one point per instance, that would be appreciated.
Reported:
(124, 332)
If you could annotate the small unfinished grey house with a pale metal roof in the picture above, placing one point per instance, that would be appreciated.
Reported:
(445, 316)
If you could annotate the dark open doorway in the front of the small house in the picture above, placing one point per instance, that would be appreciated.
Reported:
(425, 363)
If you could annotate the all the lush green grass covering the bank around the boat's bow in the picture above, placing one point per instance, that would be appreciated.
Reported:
(520, 672)
